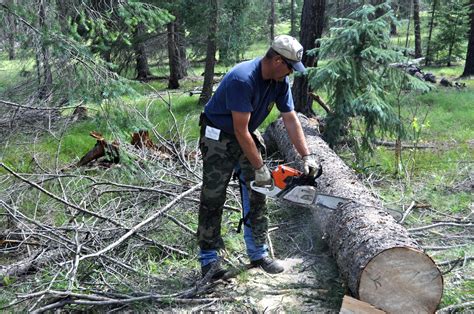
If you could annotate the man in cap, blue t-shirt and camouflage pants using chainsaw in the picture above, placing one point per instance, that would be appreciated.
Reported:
(230, 143)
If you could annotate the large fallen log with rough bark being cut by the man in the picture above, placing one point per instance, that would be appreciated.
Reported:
(376, 256)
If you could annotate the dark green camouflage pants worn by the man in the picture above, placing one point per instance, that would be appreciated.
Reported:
(219, 159)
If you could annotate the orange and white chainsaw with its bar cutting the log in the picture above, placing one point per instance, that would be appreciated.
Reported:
(292, 185)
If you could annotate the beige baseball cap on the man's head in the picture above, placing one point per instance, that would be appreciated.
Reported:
(290, 49)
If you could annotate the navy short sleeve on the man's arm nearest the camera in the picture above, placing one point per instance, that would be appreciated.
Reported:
(238, 96)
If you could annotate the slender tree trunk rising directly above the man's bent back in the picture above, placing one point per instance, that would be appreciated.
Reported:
(210, 54)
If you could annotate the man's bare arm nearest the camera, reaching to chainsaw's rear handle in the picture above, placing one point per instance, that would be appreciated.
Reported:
(246, 142)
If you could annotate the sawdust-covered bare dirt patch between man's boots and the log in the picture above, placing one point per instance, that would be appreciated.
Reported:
(310, 282)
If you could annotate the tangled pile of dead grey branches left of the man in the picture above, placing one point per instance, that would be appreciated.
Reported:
(94, 236)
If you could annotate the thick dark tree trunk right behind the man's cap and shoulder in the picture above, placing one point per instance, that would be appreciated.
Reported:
(312, 23)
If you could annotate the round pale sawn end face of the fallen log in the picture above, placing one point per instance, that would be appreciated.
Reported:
(402, 280)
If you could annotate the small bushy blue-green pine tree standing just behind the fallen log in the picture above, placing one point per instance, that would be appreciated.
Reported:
(358, 75)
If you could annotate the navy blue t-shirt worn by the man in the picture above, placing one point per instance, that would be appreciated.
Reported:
(244, 90)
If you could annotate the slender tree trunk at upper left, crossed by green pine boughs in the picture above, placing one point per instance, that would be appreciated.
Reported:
(46, 73)
